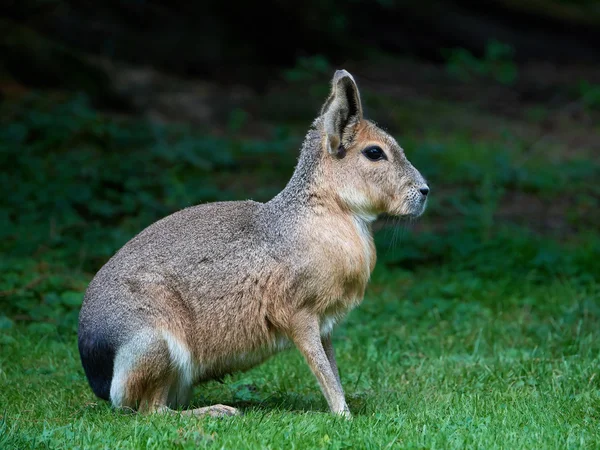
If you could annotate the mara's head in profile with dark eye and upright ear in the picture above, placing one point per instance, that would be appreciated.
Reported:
(369, 171)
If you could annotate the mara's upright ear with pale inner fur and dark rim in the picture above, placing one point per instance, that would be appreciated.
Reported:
(341, 108)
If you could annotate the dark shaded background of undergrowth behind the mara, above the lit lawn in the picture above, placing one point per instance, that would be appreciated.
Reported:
(117, 113)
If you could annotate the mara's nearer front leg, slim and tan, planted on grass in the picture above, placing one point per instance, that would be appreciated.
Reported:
(306, 335)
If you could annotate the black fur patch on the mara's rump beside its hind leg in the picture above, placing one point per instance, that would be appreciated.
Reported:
(98, 359)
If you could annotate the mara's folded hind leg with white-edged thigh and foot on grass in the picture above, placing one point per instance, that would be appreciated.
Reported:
(153, 373)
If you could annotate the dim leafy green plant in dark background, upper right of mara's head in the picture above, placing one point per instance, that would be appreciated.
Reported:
(497, 63)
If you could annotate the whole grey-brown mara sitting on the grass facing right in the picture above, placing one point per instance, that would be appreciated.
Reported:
(220, 287)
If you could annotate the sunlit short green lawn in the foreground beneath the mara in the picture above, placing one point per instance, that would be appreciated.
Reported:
(435, 358)
